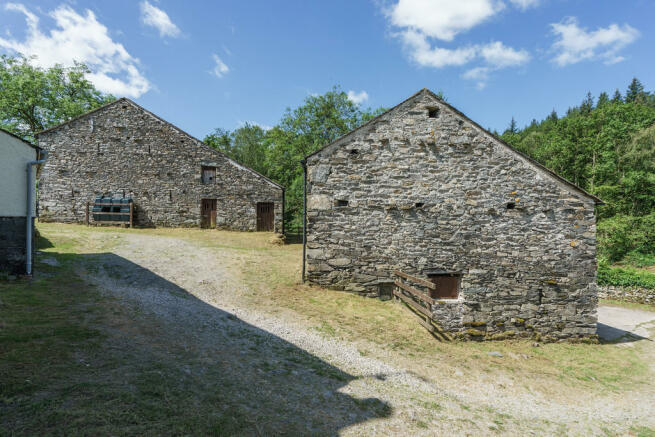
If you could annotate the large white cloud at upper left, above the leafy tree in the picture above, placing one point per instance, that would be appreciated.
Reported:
(80, 38)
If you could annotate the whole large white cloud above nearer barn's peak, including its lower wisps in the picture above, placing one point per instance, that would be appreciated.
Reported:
(421, 22)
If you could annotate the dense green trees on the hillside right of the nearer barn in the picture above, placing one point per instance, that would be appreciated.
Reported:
(605, 145)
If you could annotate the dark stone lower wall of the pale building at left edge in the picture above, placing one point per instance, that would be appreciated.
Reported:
(12, 245)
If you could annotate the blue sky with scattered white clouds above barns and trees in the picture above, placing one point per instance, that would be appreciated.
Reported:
(206, 64)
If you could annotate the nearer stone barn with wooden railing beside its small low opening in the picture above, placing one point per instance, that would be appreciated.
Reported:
(507, 247)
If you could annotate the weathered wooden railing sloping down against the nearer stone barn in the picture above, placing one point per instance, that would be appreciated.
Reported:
(419, 301)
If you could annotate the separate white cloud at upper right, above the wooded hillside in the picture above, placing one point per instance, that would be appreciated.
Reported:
(575, 44)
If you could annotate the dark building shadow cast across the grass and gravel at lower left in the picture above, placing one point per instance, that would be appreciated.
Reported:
(170, 363)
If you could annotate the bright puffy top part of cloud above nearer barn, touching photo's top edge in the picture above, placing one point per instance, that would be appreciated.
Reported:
(442, 19)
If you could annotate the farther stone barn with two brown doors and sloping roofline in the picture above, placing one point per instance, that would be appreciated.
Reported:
(123, 150)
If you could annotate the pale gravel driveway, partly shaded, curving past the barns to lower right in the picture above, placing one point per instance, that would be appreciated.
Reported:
(193, 301)
